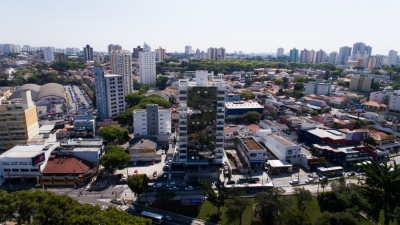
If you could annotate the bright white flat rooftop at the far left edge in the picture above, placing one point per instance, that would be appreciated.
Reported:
(24, 151)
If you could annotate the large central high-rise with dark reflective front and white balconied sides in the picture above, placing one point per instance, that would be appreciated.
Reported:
(201, 119)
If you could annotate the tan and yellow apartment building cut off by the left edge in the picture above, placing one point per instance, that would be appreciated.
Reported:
(18, 122)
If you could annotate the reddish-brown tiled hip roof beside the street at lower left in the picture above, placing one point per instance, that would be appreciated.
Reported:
(68, 165)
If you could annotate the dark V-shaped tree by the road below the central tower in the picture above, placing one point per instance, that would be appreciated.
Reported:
(216, 199)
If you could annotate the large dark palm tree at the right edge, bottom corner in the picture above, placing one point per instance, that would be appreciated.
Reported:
(381, 186)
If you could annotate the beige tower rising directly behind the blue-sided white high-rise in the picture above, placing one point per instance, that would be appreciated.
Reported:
(121, 64)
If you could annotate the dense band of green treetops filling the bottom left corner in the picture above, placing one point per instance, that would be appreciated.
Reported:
(46, 208)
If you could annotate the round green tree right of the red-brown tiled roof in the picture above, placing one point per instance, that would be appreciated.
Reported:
(115, 157)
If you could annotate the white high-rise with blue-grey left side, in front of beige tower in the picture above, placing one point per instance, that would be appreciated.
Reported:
(110, 98)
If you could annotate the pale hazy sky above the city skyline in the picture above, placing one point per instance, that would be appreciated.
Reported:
(246, 25)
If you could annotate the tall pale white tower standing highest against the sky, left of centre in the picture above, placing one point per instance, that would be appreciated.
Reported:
(147, 66)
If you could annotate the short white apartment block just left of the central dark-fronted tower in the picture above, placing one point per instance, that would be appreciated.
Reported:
(152, 121)
